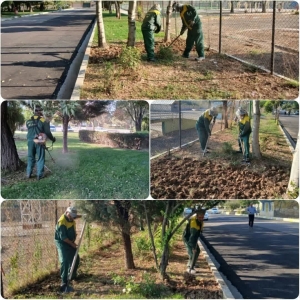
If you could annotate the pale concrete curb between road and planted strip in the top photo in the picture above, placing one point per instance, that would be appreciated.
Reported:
(81, 75)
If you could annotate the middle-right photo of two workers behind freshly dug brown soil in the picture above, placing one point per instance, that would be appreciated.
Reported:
(224, 149)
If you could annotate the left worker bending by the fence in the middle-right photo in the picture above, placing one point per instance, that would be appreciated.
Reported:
(203, 126)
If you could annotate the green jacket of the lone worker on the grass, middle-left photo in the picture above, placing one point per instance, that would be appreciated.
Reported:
(36, 125)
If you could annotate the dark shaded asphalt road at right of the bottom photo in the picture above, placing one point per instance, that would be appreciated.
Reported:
(261, 262)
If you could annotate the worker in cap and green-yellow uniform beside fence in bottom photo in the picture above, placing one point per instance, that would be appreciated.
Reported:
(65, 236)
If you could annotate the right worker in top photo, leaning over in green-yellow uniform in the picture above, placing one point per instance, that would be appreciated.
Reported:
(192, 23)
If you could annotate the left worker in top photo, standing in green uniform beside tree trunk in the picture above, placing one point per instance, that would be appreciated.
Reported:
(151, 24)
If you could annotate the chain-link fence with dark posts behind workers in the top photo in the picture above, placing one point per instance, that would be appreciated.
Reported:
(262, 33)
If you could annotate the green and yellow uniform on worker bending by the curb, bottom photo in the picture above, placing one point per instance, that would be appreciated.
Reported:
(190, 238)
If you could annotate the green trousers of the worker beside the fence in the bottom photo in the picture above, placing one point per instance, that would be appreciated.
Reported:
(66, 255)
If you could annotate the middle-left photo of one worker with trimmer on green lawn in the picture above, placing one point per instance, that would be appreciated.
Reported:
(75, 149)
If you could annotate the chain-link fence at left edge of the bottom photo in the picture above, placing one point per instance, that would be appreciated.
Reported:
(27, 240)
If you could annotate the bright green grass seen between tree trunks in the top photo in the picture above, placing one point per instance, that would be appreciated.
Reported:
(116, 30)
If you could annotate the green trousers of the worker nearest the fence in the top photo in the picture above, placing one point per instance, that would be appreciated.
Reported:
(194, 36)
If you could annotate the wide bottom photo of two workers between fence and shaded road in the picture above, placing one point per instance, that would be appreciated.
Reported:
(113, 249)
